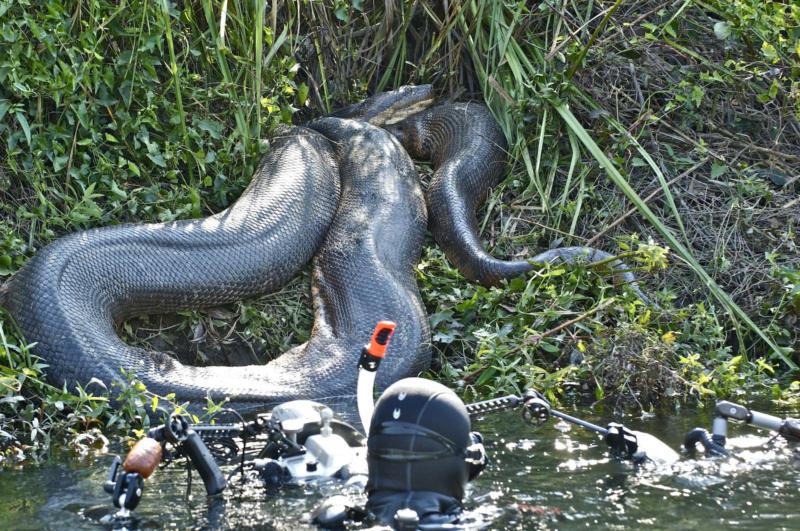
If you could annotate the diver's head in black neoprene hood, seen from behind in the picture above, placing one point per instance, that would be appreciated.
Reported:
(420, 440)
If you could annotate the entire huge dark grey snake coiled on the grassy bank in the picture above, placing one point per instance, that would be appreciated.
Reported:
(341, 190)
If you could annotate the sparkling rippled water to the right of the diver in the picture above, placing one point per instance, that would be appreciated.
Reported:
(569, 471)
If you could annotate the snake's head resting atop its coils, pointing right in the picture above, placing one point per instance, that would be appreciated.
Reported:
(390, 107)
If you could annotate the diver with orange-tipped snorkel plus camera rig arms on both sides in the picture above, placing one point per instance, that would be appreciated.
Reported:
(419, 455)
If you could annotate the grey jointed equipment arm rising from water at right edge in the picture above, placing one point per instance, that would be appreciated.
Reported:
(714, 443)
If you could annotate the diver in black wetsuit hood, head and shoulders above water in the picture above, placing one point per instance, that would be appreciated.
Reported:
(421, 453)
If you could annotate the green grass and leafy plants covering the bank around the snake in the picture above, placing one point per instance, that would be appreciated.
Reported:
(635, 127)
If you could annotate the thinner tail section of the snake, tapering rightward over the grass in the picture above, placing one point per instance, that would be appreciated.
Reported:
(469, 154)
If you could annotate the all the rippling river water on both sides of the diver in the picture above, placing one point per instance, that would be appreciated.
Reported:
(555, 477)
